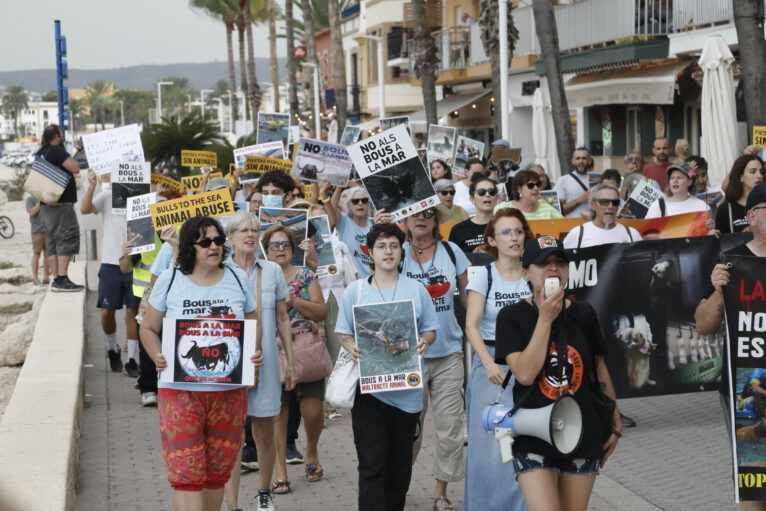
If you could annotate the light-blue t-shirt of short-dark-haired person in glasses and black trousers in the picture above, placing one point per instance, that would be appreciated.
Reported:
(409, 400)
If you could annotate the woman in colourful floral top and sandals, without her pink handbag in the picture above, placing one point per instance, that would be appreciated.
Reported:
(304, 301)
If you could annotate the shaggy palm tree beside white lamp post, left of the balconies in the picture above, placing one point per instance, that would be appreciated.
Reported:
(488, 21)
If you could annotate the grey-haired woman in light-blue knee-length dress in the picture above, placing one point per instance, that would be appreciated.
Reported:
(268, 285)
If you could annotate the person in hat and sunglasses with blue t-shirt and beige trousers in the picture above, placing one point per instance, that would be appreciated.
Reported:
(440, 266)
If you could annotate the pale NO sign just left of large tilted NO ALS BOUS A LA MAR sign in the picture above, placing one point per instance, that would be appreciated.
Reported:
(318, 161)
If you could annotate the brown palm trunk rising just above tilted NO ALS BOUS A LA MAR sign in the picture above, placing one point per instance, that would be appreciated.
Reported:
(426, 59)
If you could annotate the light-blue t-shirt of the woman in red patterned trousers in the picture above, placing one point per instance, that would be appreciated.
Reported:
(185, 299)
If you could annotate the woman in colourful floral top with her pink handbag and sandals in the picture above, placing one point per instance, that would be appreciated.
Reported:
(305, 308)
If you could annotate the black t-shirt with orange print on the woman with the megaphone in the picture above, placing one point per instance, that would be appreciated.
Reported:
(584, 339)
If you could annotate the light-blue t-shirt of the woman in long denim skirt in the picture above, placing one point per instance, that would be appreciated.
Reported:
(501, 293)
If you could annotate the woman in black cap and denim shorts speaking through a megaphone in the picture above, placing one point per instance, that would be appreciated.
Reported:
(553, 471)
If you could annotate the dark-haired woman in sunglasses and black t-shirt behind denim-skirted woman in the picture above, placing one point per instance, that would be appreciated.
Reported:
(469, 234)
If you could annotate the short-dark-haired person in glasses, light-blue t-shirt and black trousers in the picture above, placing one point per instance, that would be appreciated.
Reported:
(384, 423)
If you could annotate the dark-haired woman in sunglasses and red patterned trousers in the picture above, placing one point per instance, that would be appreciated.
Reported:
(201, 424)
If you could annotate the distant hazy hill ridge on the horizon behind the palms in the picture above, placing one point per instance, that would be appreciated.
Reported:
(137, 77)
